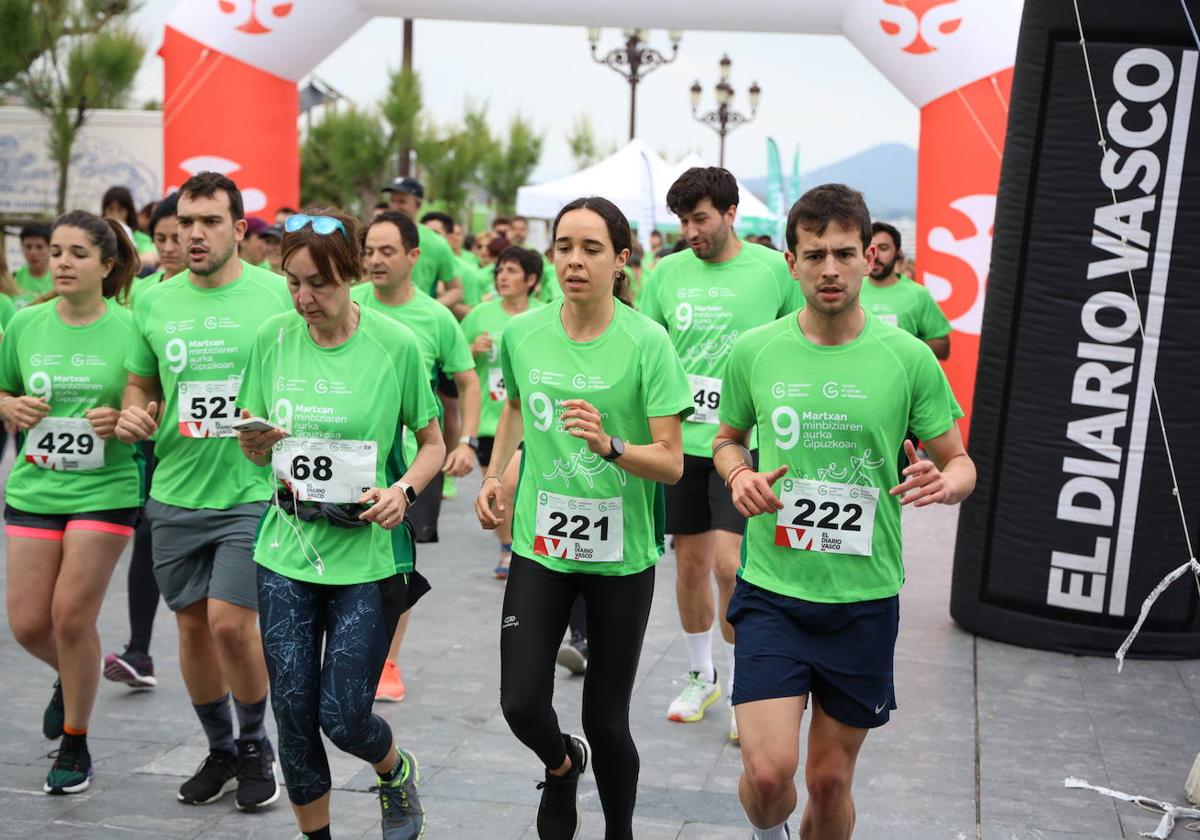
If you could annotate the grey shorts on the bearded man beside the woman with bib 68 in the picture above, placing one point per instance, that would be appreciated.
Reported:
(206, 554)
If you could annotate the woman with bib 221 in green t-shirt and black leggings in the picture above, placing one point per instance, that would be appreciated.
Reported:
(597, 394)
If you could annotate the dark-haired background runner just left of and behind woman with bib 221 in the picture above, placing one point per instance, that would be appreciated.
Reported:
(518, 273)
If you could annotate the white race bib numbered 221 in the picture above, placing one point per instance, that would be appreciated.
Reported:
(572, 529)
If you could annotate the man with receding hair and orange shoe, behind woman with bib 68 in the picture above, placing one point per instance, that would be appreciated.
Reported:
(391, 256)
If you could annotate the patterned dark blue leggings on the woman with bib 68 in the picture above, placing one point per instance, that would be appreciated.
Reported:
(332, 693)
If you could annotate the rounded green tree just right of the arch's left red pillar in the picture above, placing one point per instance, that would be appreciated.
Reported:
(344, 160)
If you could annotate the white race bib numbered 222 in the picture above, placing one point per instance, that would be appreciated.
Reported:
(826, 517)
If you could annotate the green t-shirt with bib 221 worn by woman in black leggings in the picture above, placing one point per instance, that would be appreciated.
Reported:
(575, 512)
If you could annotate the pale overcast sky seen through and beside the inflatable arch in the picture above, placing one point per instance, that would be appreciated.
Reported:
(819, 92)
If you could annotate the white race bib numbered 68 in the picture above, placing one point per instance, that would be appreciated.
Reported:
(317, 470)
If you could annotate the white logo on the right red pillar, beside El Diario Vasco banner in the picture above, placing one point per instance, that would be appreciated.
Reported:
(965, 308)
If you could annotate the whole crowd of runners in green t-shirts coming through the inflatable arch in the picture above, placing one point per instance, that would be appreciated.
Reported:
(274, 416)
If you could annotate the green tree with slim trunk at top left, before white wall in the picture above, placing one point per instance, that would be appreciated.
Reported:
(79, 73)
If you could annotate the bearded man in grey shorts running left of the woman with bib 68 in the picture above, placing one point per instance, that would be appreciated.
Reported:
(193, 339)
